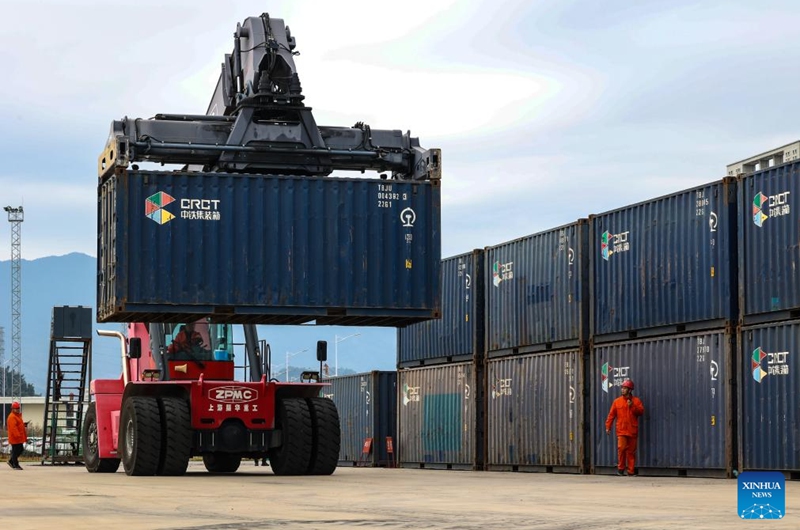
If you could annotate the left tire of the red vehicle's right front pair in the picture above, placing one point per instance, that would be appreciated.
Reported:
(294, 454)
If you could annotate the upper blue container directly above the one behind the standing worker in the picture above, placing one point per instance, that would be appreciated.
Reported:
(668, 262)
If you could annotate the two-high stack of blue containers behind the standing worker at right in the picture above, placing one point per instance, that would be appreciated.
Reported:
(661, 268)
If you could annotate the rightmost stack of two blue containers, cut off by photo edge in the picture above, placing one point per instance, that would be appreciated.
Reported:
(769, 293)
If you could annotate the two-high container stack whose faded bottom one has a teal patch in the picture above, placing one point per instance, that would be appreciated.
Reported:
(441, 373)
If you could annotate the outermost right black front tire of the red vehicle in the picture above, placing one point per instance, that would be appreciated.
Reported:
(327, 436)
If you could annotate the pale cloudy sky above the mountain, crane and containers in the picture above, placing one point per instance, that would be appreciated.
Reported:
(545, 111)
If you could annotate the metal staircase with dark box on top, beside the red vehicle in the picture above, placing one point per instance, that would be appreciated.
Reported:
(67, 376)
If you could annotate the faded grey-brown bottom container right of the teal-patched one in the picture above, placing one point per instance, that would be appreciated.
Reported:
(535, 412)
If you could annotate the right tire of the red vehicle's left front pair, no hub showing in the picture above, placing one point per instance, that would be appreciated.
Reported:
(176, 436)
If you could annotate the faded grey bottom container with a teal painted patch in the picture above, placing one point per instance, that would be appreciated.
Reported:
(437, 422)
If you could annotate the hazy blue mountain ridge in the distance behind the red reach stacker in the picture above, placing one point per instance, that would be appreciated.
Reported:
(70, 280)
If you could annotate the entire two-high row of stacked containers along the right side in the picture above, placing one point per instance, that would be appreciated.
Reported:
(658, 304)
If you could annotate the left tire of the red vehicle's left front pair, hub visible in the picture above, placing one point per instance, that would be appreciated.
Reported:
(140, 436)
